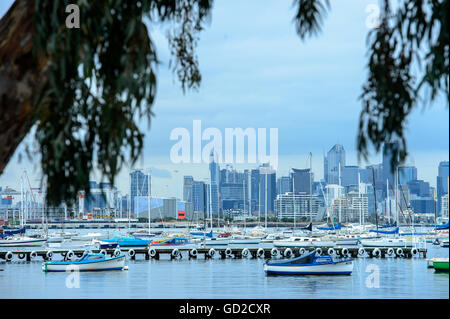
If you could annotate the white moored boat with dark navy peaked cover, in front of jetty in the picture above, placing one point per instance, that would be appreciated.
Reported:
(310, 264)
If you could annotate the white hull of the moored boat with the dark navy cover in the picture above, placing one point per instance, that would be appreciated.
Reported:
(339, 268)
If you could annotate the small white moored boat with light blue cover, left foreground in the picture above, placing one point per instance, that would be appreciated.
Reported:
(88, 262)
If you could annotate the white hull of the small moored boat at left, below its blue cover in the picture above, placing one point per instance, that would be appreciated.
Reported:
(115, 263)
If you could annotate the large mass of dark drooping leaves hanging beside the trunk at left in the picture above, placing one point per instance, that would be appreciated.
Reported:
(101, 81)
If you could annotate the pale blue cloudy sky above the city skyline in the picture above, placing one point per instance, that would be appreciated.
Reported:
(257, 73)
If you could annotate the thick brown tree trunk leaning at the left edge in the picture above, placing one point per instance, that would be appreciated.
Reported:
(20, 77)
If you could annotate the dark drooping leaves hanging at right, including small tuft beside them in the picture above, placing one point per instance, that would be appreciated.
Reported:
(408, 58)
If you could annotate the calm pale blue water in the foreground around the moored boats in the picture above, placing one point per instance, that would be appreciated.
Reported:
(229, 278)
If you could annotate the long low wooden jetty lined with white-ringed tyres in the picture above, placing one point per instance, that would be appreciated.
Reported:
(211, 252)
